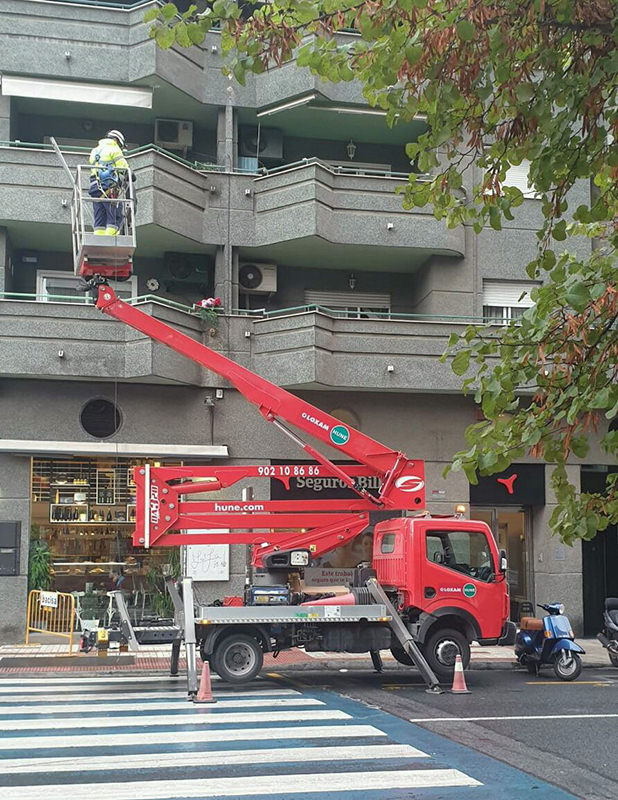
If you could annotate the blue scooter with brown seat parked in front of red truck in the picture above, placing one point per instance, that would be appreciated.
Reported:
(549, 641)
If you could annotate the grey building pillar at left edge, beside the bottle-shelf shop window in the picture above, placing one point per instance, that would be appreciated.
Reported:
(15, 506)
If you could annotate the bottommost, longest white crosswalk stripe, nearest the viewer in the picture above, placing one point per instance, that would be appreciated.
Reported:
(286, 784)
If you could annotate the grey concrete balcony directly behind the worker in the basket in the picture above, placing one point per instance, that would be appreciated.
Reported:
(178, 207)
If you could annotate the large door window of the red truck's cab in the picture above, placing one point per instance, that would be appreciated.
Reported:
(466, 552)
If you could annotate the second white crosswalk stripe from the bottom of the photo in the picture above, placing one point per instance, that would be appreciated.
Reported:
(208, 758)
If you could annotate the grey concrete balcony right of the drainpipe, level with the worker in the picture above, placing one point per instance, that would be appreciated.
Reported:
(315, 200)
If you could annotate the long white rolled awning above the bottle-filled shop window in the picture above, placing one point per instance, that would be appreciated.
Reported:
(120, 449)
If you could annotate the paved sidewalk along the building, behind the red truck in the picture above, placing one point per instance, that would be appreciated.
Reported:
(45, 657)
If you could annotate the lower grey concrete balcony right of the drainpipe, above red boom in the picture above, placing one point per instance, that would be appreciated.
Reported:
(312, 350)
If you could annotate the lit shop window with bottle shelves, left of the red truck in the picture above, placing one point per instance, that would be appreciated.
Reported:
(84, 511)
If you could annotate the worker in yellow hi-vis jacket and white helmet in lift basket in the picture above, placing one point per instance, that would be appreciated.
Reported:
(108, 181)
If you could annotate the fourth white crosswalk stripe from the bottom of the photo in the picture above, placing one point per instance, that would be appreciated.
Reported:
(205, 717)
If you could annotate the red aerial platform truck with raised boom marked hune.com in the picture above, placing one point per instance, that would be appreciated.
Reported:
(435, 584)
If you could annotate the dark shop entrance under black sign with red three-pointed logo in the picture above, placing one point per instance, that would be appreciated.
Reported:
(505, 502)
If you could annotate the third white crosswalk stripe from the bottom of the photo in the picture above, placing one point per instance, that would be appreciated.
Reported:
(175, 737)
